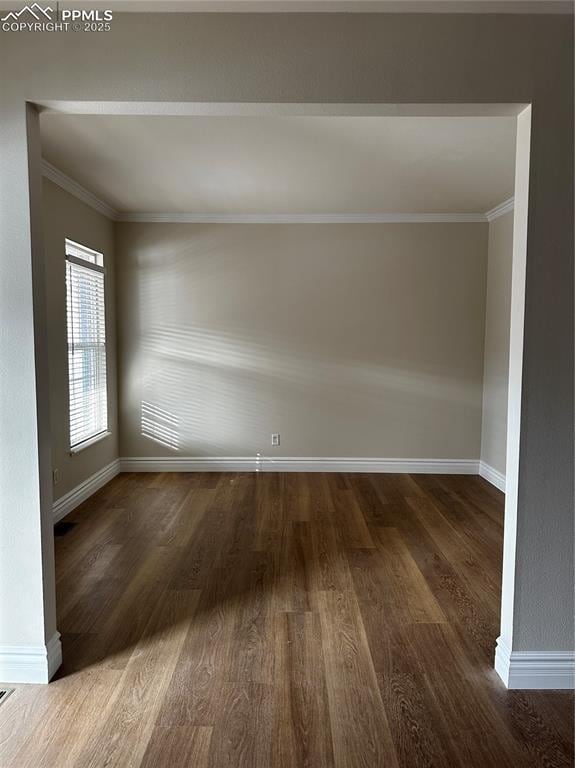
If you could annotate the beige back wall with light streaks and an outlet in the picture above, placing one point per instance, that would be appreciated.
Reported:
(348, 340)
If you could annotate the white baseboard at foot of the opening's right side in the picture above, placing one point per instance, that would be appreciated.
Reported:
(535, 670)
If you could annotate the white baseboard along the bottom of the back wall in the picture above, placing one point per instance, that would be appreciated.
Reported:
(297, 464)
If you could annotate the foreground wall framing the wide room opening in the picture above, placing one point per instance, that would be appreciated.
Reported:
(267, 58)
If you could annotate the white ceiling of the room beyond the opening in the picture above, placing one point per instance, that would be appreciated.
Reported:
(286, 165)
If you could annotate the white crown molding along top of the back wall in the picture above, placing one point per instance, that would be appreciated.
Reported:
(303, 218)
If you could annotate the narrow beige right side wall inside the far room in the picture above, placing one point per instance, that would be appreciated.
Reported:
(496, 363)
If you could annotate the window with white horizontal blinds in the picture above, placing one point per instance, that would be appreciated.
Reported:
(86, 345)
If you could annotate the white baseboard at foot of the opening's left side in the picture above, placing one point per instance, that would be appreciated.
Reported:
(30, 663)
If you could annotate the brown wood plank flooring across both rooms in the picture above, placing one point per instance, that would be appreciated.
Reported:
(283, 621)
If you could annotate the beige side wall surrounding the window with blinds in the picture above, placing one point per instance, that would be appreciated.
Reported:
(67, 217)
